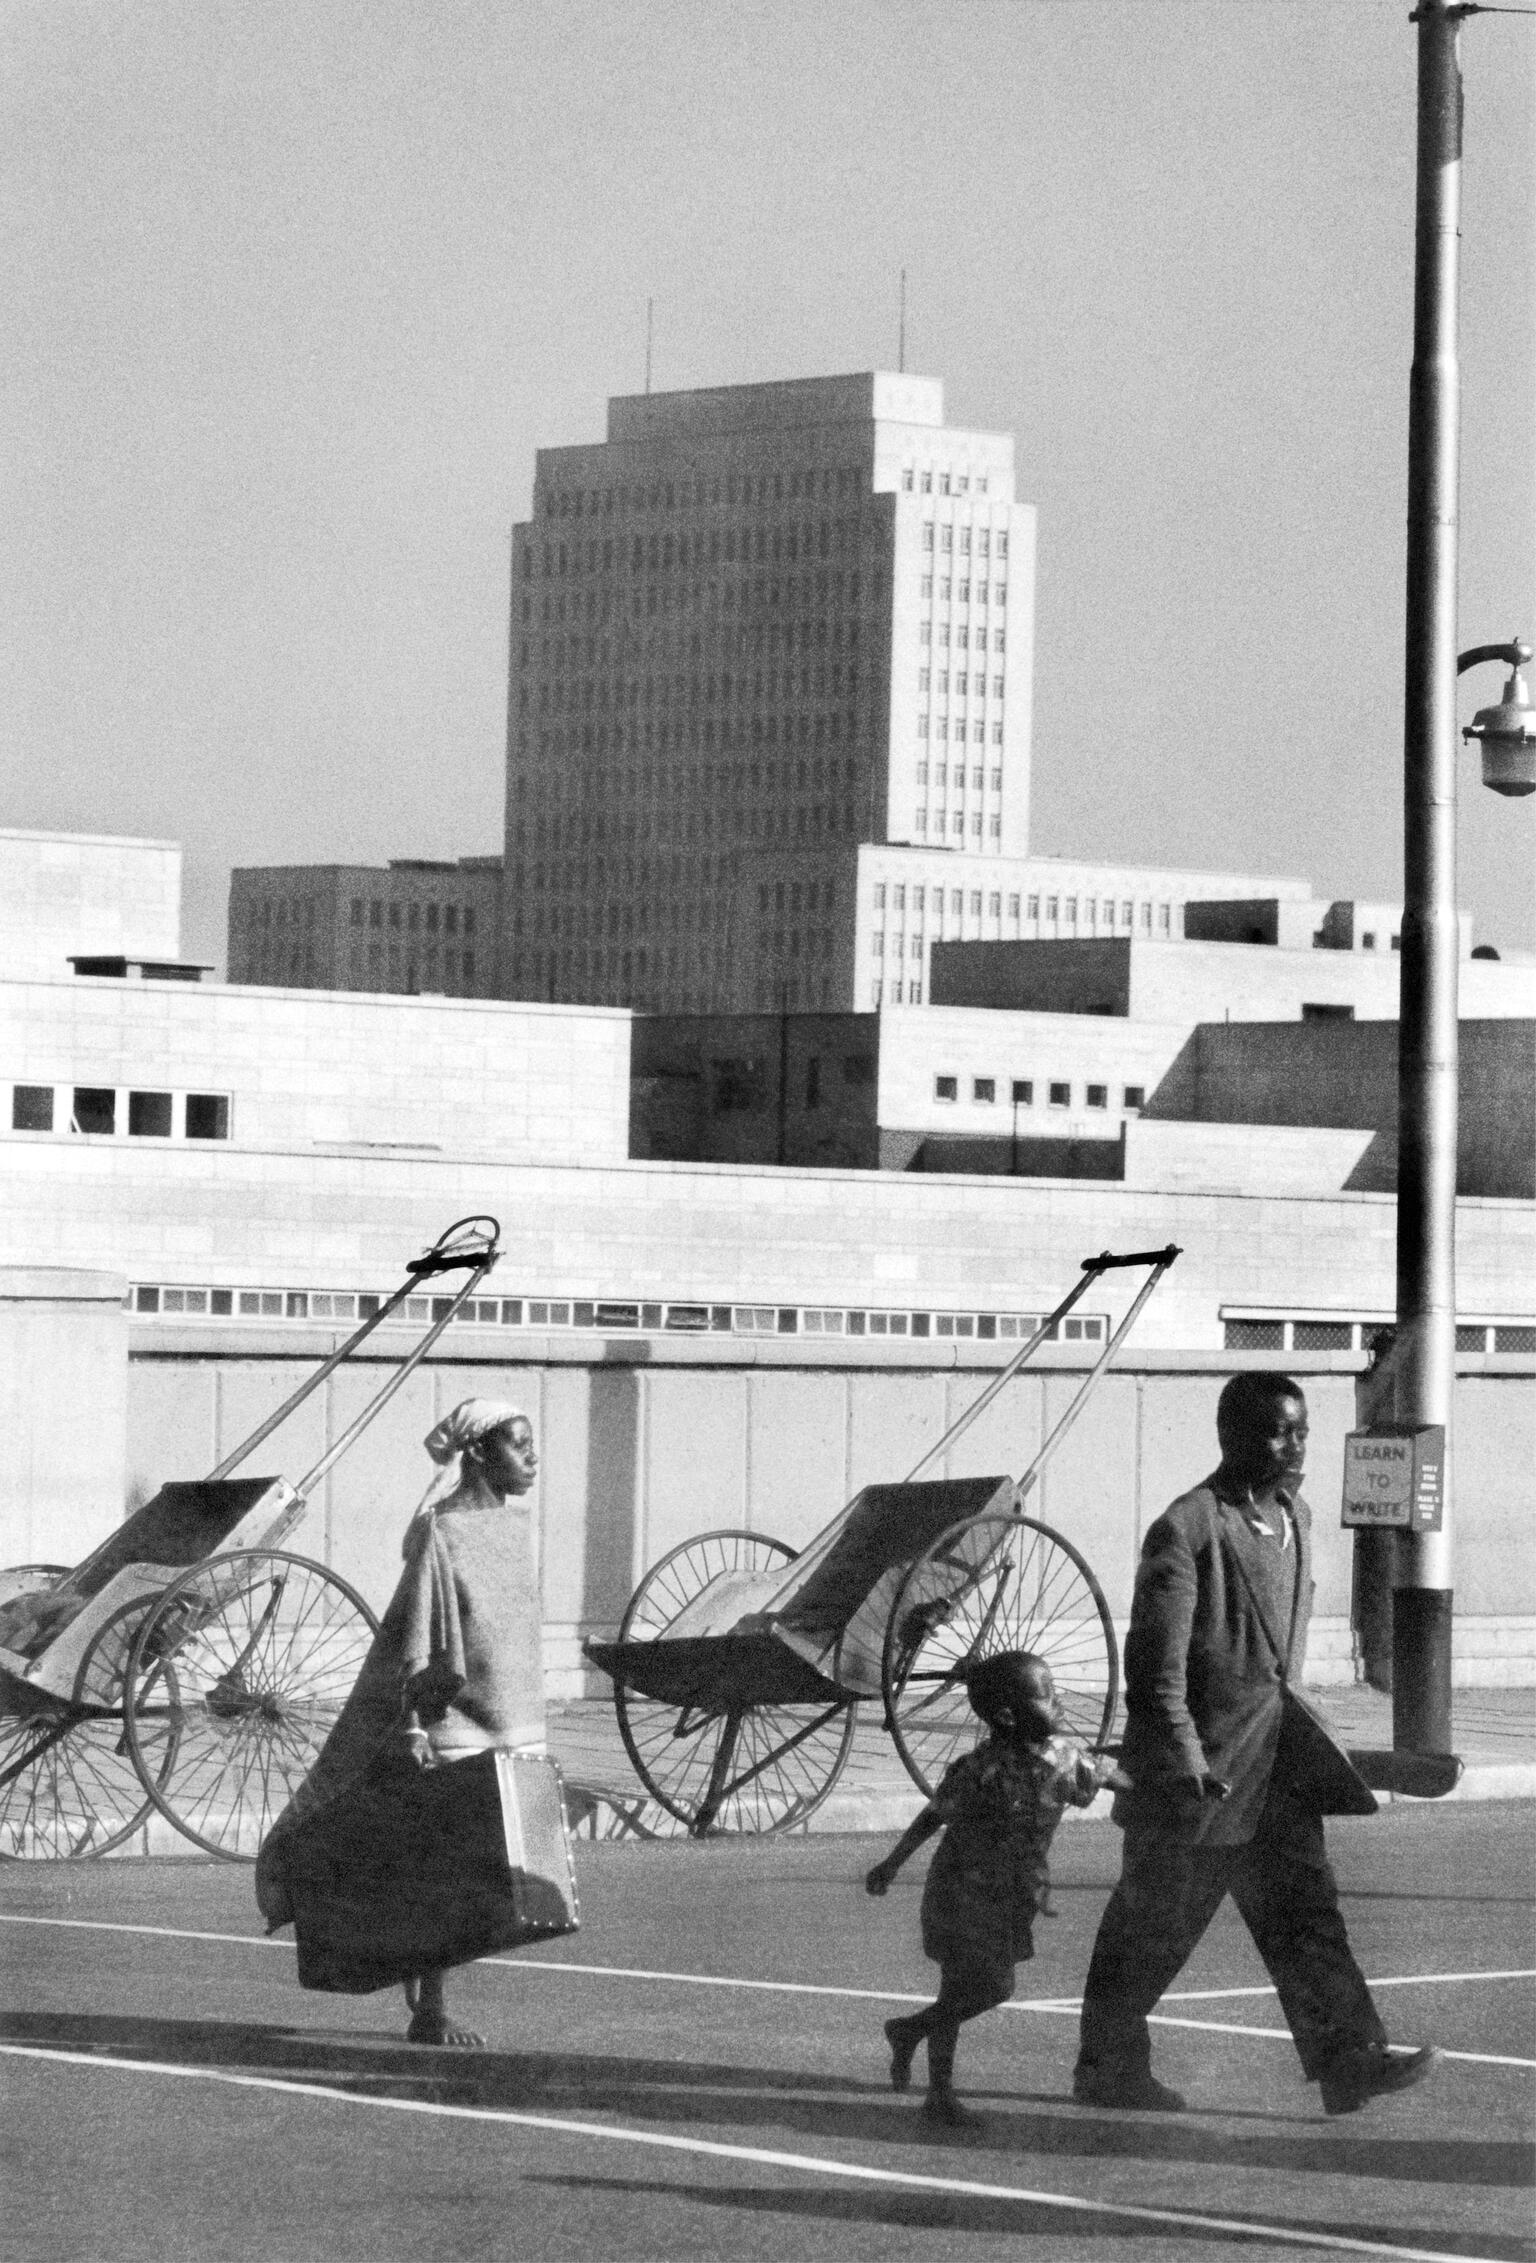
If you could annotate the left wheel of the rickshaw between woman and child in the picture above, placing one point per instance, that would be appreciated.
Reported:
(761, 1769)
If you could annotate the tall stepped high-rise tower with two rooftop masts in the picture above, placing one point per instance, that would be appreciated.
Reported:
(754, 630)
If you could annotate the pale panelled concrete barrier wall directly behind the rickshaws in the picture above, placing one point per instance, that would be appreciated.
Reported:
(641, 1454)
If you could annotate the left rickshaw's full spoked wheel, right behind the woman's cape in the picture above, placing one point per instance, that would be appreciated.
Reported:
(254, 1658)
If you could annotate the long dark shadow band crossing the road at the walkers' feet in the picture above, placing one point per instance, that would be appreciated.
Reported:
(763, 2103)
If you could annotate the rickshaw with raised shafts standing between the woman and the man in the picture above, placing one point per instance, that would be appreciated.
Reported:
(741, 1662)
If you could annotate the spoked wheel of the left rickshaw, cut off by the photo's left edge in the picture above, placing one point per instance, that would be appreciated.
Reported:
(69, 1784)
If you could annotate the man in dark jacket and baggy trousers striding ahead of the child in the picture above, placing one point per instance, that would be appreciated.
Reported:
(1232, 1778)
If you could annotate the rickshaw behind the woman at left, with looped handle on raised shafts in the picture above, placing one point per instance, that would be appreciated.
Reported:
(193, 1667)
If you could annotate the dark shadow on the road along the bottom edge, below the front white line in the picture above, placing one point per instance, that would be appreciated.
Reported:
(956, 2212)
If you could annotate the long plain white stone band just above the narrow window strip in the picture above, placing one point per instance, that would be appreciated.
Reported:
(313, 1219)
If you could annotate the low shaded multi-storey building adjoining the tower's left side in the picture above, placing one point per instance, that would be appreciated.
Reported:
(406, 927)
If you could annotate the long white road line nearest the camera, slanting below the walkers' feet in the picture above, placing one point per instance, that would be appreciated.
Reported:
(763, 2158)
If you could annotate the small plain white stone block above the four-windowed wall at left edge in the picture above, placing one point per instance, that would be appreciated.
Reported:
(78, 893)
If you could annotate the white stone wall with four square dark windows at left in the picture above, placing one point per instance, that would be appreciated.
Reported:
(331, 1067)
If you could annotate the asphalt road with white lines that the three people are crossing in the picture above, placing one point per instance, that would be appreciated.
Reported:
(173, 2097)
